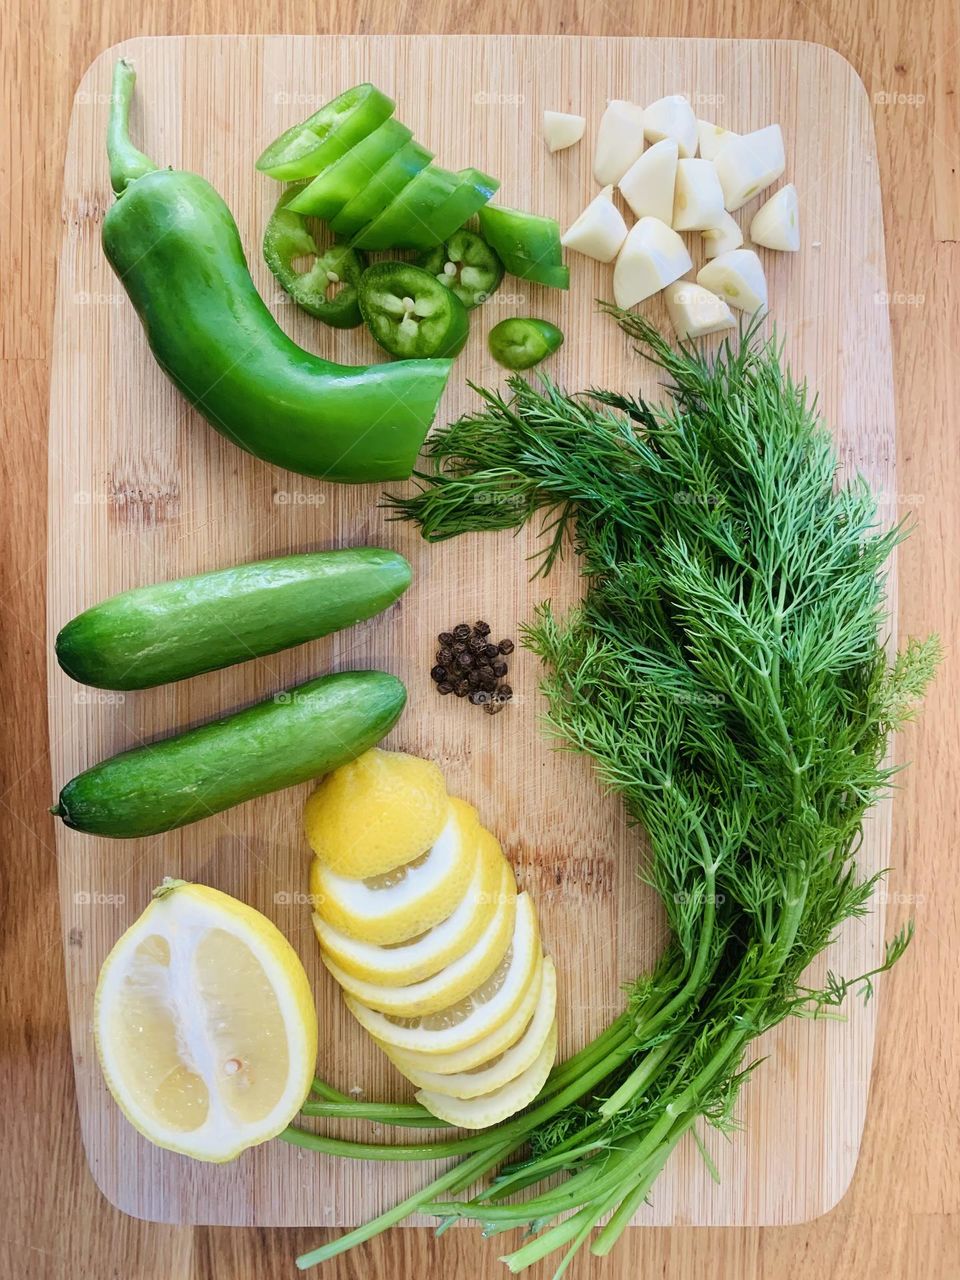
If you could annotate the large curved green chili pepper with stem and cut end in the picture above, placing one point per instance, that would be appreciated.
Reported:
(177, 252)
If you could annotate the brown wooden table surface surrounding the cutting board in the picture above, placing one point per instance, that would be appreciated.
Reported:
(902, 1219)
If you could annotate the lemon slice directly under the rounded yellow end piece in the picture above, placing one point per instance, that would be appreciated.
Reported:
(401, 904)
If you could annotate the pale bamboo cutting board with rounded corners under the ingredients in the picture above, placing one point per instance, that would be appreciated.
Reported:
(141, 490)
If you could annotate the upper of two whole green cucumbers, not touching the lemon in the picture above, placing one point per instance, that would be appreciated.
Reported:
(173, 630)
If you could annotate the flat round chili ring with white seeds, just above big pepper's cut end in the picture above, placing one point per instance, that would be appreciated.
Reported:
(410, 313)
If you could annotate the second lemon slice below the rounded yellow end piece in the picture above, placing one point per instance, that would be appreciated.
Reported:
(429, 953)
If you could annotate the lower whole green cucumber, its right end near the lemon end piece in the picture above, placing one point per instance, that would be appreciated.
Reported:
(292, 738)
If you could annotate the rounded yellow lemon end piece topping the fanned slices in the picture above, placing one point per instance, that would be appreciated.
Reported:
(376, 813)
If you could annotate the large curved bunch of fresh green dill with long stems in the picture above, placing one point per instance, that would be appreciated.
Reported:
(725, 673)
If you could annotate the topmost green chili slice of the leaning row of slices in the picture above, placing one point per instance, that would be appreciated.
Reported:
(308, 148)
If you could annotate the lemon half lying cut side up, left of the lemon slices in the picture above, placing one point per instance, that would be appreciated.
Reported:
(205, 1025)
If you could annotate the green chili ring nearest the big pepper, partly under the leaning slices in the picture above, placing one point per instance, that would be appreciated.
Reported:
(328, 287)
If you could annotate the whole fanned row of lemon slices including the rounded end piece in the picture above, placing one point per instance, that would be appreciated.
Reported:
(419, 921)
